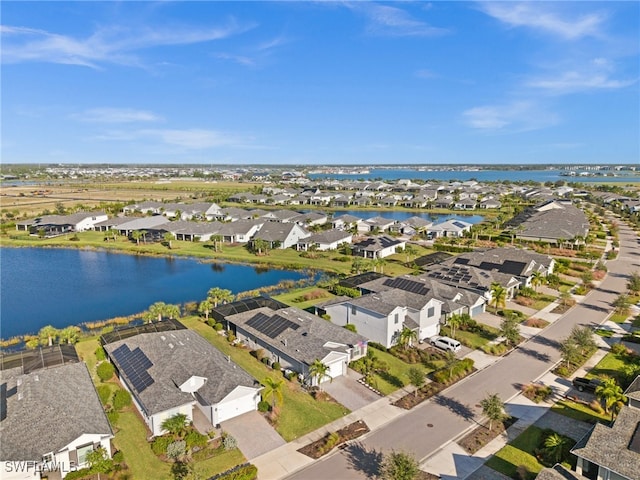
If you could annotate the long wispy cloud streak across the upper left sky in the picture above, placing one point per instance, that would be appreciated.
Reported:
(110, 45)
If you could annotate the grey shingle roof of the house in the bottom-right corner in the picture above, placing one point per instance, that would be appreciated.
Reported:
(609, 446)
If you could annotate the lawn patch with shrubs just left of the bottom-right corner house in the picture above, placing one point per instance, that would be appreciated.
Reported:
(519, 452)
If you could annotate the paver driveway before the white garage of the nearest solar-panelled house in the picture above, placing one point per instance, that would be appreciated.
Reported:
(254, 434)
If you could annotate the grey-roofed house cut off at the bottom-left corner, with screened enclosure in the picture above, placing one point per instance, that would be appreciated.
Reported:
(50, 415)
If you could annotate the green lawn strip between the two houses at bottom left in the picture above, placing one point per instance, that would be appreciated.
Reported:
(131, 438)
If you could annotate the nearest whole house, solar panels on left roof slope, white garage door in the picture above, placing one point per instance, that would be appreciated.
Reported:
(176, 371)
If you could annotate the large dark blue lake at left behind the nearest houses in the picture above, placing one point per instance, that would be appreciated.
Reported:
(63, 287)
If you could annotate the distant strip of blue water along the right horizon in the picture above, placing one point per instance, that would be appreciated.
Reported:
(480, 175)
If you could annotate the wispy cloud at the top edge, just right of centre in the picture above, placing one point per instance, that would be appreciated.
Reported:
(393, 21)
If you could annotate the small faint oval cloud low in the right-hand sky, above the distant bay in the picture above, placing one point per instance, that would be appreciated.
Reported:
(517, 116)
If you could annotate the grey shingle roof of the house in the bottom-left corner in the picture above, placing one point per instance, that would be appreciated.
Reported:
(49, 409)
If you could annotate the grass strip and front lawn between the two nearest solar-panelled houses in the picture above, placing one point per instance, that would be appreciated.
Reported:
(300, 413)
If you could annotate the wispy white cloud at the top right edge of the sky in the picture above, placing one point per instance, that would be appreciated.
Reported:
(543, 16)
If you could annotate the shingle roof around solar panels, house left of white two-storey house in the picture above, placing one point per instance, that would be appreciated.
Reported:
(306, 343)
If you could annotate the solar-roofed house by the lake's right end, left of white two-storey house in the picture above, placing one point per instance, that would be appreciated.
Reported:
(293, 337)
